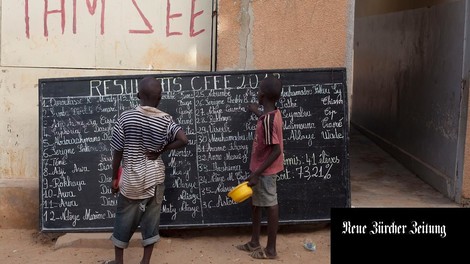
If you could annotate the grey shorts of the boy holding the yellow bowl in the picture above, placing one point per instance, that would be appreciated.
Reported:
(265, 192)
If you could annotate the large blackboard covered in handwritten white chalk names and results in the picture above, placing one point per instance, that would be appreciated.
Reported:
(77, 117)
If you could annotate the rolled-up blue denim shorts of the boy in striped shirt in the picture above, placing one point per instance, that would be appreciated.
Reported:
(130, 214)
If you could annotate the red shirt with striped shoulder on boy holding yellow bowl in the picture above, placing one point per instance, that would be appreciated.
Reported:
(268, 133)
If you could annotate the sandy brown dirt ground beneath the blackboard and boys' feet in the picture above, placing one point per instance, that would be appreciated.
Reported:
(209, 245)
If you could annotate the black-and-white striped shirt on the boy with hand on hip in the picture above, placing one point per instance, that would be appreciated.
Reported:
(135, 132)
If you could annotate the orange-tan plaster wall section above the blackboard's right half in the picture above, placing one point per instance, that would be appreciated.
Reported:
(283, 34)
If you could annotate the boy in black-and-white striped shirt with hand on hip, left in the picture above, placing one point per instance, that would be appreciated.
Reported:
(140, 135)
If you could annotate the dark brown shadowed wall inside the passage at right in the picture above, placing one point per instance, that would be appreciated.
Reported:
(408, 77)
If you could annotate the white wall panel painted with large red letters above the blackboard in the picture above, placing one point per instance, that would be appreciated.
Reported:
(114, 34)
